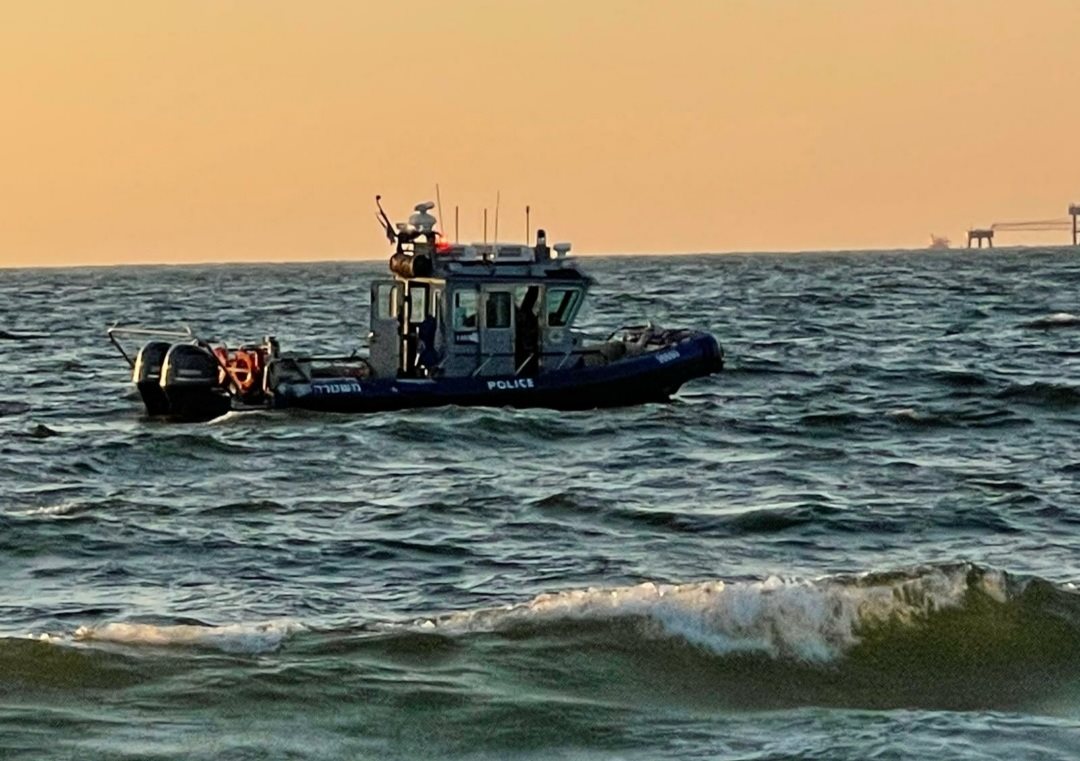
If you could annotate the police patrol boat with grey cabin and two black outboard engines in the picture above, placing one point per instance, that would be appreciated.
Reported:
(478, 324)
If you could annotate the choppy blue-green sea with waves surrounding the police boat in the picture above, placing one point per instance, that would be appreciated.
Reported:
(859, 541)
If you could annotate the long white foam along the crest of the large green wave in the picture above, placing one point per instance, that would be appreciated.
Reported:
(814, 621)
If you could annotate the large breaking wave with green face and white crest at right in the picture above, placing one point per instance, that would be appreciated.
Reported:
(951, 637)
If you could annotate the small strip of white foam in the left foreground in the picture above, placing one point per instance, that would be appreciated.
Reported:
(233, 638)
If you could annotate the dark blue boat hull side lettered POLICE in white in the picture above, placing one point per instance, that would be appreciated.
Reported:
(651, 377)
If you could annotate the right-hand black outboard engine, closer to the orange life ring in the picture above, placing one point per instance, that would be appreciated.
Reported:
(190, 379)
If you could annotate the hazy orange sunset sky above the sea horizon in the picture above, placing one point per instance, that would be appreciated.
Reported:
(215, 130)
